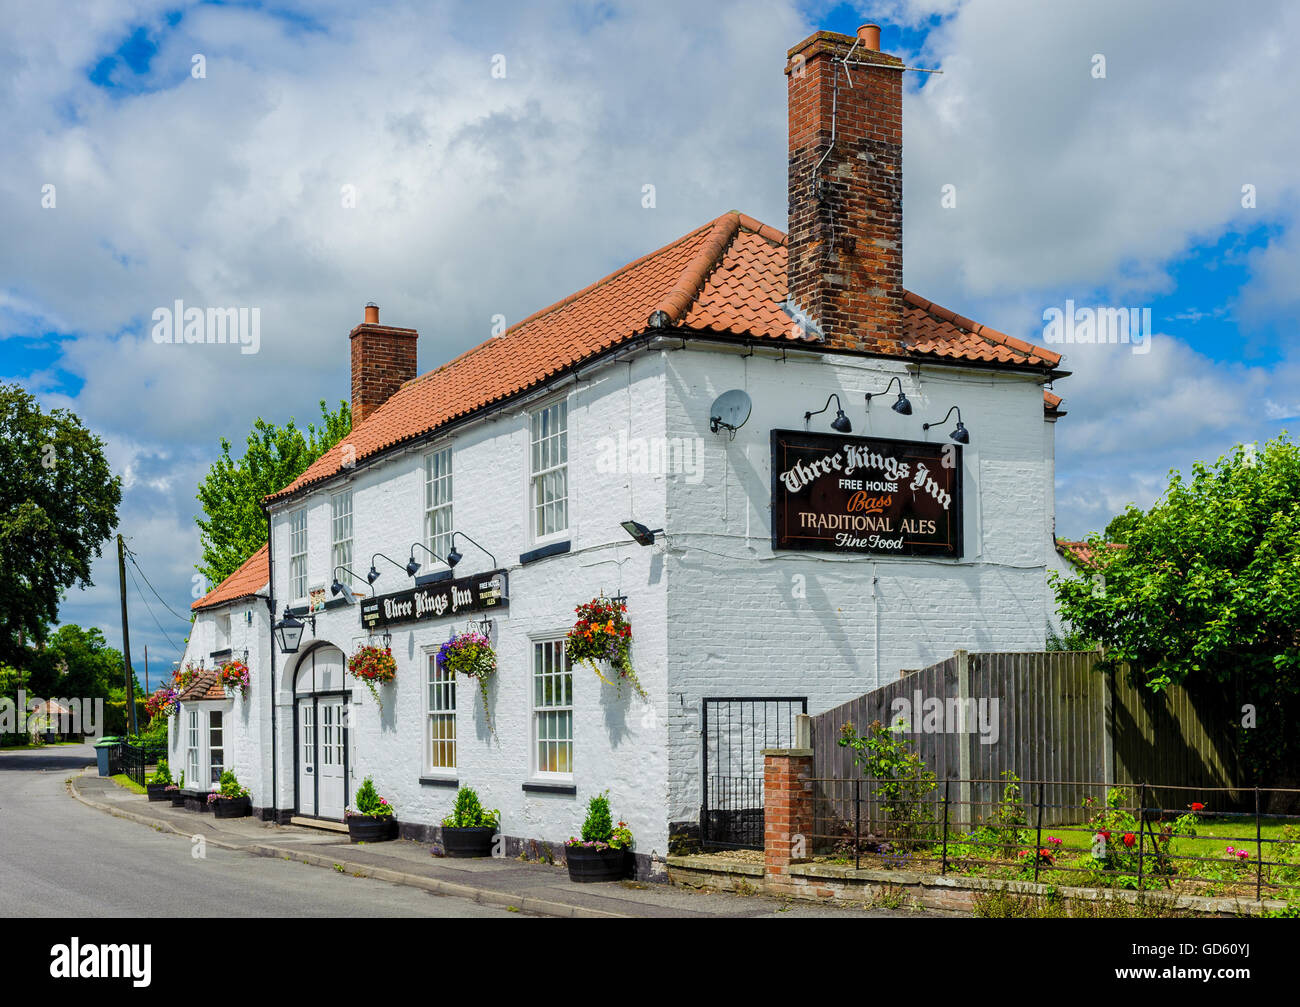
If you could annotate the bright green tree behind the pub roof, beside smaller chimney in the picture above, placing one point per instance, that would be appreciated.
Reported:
(233, 526)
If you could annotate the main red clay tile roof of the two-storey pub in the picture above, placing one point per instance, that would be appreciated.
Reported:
(727, 279)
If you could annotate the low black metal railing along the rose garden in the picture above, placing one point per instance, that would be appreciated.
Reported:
(1117, 835)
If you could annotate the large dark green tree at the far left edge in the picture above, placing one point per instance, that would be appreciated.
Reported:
(58, 505)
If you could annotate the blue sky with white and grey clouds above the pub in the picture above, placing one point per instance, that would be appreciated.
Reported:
(484, 197)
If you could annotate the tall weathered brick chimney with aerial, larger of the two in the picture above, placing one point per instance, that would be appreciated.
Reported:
(846, 189)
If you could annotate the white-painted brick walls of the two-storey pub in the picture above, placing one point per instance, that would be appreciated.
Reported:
(714, 611)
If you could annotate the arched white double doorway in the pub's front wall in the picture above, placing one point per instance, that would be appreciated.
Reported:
(320, 733)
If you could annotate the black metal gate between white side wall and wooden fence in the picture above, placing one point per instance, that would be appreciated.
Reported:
(735, 731)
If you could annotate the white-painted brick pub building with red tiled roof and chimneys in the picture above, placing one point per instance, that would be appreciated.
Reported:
(876, 493)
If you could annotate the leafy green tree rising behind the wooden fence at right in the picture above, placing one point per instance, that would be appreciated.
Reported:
(1207, 593)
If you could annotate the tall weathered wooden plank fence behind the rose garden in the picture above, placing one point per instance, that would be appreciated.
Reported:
(1052, 724)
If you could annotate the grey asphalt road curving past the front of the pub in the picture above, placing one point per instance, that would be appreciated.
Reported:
(63, 860)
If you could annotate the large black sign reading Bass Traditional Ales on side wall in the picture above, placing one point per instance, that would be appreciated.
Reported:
(877, 496)
